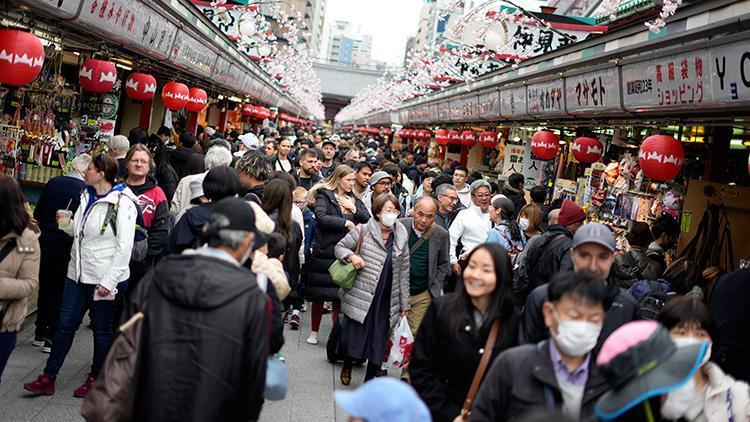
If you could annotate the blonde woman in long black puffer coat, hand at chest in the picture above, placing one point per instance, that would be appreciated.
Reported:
(337, 210)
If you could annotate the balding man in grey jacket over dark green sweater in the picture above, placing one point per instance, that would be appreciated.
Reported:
(429, 262)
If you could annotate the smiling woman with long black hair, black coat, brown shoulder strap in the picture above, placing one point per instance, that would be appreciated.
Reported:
(453, 334)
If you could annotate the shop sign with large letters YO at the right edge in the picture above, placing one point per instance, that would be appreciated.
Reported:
(730, 73)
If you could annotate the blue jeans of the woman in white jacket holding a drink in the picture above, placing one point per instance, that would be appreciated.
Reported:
(76, 300)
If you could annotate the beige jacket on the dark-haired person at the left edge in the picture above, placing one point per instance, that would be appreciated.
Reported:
(19, 278)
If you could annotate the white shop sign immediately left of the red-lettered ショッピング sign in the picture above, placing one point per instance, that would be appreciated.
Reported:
(593, 92)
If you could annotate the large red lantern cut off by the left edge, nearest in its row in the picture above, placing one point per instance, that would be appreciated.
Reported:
(21, 57)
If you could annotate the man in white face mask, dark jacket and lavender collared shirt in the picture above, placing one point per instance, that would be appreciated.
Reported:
(556, 373)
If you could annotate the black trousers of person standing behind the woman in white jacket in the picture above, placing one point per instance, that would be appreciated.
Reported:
(53, 271)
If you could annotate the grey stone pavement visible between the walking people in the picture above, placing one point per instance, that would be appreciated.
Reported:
(310, 398)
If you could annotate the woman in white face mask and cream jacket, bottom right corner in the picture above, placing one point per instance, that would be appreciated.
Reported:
(711, 395)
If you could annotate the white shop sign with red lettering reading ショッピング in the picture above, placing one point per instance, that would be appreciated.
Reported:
(672, 82)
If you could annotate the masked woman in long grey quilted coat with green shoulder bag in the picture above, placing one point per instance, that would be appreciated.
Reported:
(381, 289)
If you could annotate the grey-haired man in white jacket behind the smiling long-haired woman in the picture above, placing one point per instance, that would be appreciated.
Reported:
(471, 225)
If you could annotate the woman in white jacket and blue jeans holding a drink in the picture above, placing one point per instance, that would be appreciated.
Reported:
(103, 229)
